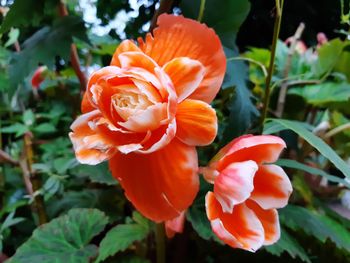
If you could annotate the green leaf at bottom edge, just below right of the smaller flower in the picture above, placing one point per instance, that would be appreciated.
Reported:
(290, 245)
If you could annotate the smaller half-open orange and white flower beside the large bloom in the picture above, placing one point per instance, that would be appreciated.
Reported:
(247, 191)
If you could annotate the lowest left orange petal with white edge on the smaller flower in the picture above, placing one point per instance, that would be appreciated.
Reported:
(239, 229)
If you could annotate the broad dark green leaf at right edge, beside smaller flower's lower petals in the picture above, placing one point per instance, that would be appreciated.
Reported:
(315, 224)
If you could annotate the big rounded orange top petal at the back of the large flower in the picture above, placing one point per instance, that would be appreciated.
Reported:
(177, 36)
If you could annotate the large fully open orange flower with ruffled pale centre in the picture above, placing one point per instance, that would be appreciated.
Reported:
(147, 111)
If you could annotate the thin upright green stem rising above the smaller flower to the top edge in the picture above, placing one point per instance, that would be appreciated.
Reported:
(276, 32)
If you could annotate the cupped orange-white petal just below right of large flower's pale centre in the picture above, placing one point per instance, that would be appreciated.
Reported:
(148, 119)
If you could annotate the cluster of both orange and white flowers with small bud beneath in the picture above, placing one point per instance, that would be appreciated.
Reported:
(146, 113)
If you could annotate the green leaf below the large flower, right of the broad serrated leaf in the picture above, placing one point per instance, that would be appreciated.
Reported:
(121, 237)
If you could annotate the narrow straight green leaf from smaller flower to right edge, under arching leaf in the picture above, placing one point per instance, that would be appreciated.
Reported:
(311, 170)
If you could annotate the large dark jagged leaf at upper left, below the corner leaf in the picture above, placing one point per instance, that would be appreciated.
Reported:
(45, 45)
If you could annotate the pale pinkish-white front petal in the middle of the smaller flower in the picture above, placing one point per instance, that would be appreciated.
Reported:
(234, 184)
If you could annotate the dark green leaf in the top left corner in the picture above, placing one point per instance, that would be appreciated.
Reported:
(25, 12)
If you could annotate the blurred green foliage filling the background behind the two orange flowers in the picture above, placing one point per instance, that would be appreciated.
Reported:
(90, 220)
